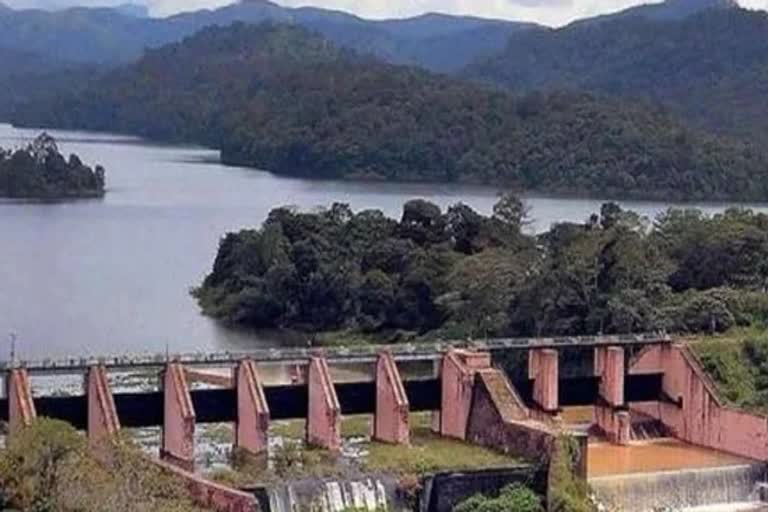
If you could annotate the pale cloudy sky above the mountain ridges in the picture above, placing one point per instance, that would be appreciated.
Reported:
(550, 12)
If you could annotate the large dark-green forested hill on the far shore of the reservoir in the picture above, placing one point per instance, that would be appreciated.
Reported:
(281, 99)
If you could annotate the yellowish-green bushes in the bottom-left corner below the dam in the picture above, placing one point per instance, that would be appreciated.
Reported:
(48, 467)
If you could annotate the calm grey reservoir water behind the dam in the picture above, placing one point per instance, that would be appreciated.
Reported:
(112, 276)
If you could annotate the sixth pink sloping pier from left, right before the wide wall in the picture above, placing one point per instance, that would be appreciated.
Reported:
(390, 422)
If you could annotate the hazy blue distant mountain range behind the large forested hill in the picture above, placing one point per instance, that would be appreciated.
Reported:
(119, 35)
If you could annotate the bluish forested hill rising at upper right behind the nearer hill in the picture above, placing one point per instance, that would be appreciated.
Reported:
(711, 67)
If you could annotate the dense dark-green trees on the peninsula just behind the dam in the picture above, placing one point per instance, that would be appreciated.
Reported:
(458, 273)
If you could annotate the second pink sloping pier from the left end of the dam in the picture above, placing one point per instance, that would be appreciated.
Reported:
(103, 422)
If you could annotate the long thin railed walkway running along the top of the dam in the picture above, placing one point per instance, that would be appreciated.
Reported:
(428, 351)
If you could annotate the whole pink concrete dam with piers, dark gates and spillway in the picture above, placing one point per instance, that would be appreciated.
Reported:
(652, 431)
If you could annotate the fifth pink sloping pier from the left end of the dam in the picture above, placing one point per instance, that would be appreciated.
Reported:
(323, 411)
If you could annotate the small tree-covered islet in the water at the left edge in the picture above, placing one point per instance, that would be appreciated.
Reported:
(39, 171)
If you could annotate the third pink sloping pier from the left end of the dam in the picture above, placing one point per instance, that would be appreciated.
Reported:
(178, 443)
